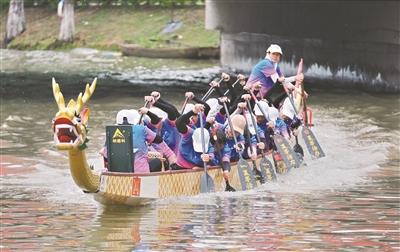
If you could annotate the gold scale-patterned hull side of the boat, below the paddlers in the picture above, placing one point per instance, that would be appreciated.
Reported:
(140, 189)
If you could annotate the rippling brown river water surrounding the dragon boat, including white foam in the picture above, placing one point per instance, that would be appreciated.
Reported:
(347, 201)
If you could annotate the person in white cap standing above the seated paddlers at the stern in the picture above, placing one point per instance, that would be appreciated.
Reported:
(268, 73)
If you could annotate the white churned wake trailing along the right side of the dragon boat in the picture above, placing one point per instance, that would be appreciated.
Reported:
(353, 146)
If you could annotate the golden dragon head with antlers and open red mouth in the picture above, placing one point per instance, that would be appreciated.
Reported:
(70, 122)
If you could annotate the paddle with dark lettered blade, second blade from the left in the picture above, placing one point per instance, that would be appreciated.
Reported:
(246, 175)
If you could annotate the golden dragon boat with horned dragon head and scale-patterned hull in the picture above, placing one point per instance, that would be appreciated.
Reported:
(127, 188)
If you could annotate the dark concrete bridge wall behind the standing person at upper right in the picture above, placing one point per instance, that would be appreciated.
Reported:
(350, 42)
